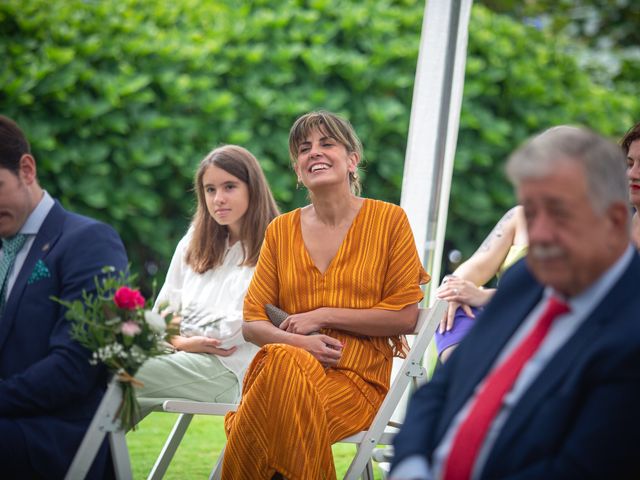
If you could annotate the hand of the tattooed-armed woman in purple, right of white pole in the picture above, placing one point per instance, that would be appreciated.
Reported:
(460, 293)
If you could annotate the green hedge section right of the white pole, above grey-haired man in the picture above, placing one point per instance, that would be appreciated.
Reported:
(519, 81)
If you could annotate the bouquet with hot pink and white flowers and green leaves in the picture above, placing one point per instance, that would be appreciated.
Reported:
(117, 324)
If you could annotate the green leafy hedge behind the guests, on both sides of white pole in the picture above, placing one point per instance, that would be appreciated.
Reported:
(121, 100)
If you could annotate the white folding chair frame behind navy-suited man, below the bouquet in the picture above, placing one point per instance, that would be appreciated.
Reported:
(104, 423)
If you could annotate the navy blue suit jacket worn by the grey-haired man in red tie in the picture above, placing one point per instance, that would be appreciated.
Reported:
(579, 419)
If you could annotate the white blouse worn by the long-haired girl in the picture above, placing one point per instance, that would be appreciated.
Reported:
(211, 302)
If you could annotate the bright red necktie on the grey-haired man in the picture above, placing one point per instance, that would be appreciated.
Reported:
(473, 429)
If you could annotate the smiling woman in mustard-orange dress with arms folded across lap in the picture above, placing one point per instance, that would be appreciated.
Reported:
(345, 268)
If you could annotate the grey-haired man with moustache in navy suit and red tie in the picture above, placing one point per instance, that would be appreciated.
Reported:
(547, 384)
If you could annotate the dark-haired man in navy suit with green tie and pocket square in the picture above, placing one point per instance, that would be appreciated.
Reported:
(48, 390)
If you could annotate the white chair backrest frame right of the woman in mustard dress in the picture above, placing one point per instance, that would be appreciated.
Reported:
(410, 371)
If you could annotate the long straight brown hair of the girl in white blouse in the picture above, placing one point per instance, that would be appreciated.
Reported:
(207, 247)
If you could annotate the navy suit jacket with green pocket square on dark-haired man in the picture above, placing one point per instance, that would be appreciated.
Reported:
(47, 385)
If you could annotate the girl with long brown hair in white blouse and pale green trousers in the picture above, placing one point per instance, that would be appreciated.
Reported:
(206, 283)
